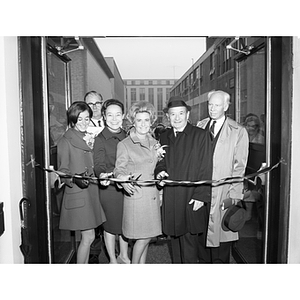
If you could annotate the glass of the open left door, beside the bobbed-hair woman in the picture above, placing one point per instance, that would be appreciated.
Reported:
(62, 244)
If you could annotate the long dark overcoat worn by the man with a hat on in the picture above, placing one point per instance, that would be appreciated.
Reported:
(187, 158)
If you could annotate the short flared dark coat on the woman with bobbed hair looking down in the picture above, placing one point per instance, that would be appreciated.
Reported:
(81, 208)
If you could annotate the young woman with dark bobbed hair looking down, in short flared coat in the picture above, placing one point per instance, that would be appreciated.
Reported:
(81, 208)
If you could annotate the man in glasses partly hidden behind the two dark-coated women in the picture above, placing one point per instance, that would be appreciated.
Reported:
(95, 101)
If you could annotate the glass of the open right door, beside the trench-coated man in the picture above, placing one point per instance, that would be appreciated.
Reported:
(251, 110)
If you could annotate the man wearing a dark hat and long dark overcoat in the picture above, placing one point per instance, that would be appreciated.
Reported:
(187, 157)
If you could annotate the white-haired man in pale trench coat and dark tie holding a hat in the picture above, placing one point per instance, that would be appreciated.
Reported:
(230, 154)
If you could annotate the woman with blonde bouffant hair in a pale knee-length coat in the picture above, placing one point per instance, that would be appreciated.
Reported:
(137, 157)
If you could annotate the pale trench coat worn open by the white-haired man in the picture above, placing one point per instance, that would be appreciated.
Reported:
(229, 159)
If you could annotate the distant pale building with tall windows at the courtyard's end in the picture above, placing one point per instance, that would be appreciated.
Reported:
(155, 91)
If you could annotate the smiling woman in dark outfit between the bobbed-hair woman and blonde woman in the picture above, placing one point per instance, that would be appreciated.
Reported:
(111, 196)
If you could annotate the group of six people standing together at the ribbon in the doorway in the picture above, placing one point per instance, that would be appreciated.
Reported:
(191, 215)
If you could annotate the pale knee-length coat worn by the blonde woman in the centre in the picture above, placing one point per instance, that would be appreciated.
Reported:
(141, 214)
